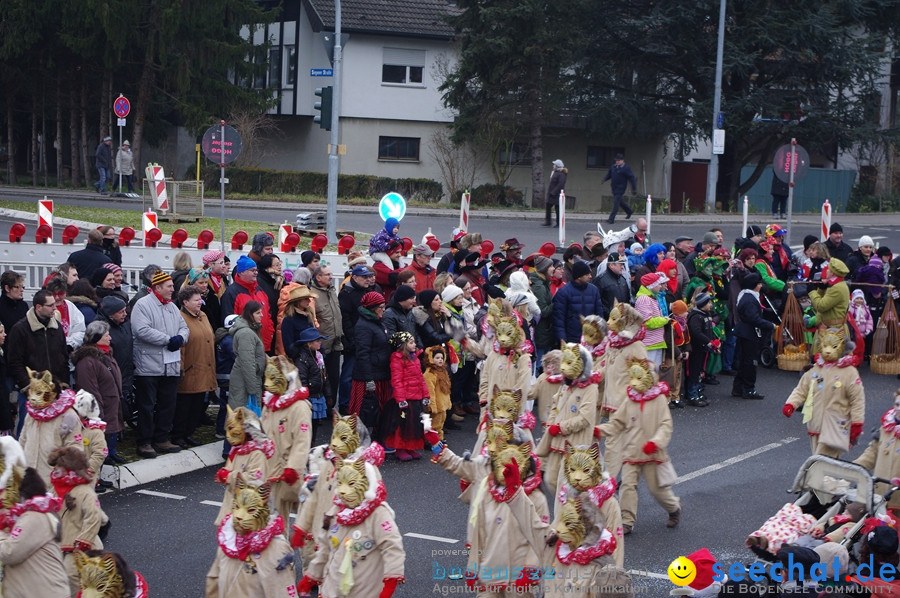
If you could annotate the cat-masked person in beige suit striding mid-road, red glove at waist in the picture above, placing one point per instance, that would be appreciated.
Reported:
(644, 422)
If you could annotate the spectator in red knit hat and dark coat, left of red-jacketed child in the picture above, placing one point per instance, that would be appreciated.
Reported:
(372, 367)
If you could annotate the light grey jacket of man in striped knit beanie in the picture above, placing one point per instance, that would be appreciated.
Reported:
(152, 325)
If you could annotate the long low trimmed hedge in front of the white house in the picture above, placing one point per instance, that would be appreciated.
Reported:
(259, 181)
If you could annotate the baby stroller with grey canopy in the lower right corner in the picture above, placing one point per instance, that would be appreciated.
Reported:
(826, 486)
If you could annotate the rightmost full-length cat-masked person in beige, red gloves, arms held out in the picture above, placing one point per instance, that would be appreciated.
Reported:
(831, 396)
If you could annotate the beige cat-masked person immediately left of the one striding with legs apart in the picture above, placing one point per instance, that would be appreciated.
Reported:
(574, 415)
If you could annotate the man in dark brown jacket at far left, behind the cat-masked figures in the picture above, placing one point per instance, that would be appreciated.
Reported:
(37, 342)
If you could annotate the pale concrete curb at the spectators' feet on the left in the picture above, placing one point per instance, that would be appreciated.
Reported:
(163, 466)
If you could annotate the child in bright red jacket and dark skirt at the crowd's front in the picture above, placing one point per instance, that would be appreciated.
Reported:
(401, 419)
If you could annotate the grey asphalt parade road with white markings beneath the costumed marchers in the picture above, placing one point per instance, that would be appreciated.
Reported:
(736, 460)
